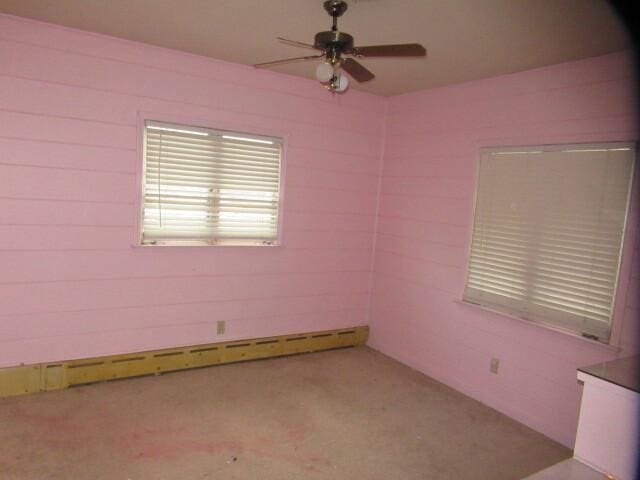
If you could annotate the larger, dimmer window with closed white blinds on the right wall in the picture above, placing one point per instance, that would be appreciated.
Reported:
(547, 235)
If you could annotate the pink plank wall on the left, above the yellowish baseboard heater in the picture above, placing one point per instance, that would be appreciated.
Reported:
(72, 286)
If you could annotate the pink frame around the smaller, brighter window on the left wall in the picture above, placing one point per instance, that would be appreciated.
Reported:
(231, 127)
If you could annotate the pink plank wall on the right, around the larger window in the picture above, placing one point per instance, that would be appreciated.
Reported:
(424, 225)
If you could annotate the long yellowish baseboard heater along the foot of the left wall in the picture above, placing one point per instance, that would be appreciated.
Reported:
(27, 379)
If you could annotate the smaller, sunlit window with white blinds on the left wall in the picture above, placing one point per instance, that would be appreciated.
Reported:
(204, 186)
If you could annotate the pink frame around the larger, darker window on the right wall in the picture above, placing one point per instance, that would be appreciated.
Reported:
(627, 241)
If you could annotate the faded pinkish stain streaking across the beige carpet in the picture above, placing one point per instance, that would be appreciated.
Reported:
(86, 426)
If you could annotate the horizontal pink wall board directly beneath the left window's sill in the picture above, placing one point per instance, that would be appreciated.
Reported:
(77, 264)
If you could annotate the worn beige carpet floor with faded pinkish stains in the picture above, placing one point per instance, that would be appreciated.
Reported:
(344, 414)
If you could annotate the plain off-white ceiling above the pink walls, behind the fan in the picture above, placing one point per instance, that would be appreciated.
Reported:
(465, 39)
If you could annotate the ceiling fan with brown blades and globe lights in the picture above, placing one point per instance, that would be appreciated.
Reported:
(335, 44)
